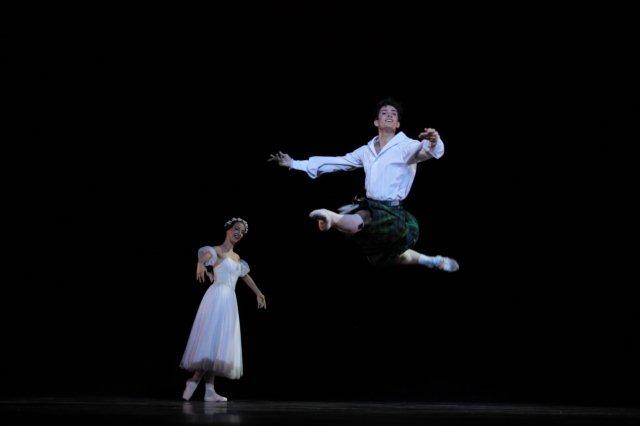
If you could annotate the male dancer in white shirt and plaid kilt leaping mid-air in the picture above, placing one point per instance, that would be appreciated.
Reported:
(379, 224)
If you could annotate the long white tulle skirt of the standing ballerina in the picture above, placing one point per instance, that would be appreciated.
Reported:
(214, 343)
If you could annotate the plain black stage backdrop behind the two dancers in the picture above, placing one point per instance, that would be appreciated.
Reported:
(144, 128)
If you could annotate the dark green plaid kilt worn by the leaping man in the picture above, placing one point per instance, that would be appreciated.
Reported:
(391, 231)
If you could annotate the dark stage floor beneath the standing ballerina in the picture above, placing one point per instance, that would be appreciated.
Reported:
(90, 411)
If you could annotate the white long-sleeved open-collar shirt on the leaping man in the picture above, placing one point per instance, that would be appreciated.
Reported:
(388, 174)
